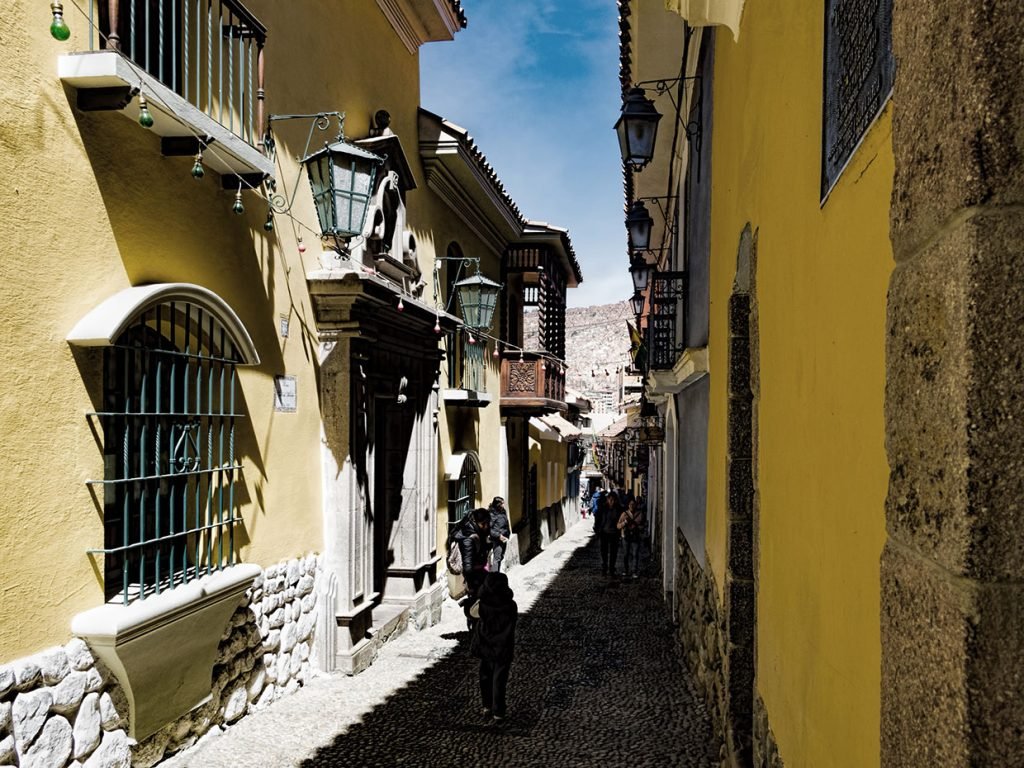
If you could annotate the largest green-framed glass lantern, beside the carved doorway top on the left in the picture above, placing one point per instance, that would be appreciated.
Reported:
(343, 179)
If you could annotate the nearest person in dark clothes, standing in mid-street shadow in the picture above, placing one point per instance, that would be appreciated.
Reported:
(494, 643)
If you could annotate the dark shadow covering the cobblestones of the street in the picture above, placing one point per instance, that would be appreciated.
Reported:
(587, 650)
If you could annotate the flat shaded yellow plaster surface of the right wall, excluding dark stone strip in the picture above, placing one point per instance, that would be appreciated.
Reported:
(823, 273)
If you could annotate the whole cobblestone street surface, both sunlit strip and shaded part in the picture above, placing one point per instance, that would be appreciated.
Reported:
(595, 682)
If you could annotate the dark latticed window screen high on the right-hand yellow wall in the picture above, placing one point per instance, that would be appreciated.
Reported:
(859, 78)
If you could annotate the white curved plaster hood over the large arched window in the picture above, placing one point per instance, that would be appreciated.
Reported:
(106, 323)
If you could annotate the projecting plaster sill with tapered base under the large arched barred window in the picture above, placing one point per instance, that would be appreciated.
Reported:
(162, 650)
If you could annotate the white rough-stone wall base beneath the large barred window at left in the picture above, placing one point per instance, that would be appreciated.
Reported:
(63, 708)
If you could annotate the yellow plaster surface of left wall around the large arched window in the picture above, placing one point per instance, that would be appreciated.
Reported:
(92, 208)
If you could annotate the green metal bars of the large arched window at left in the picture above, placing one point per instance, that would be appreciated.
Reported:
(168, 423)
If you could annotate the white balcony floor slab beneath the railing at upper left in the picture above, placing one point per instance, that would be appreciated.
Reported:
(173, 115)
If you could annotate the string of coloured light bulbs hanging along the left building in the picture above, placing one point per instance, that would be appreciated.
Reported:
(62, 32)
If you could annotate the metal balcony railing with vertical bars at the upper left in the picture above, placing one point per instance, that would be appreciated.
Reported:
(210, 53)
